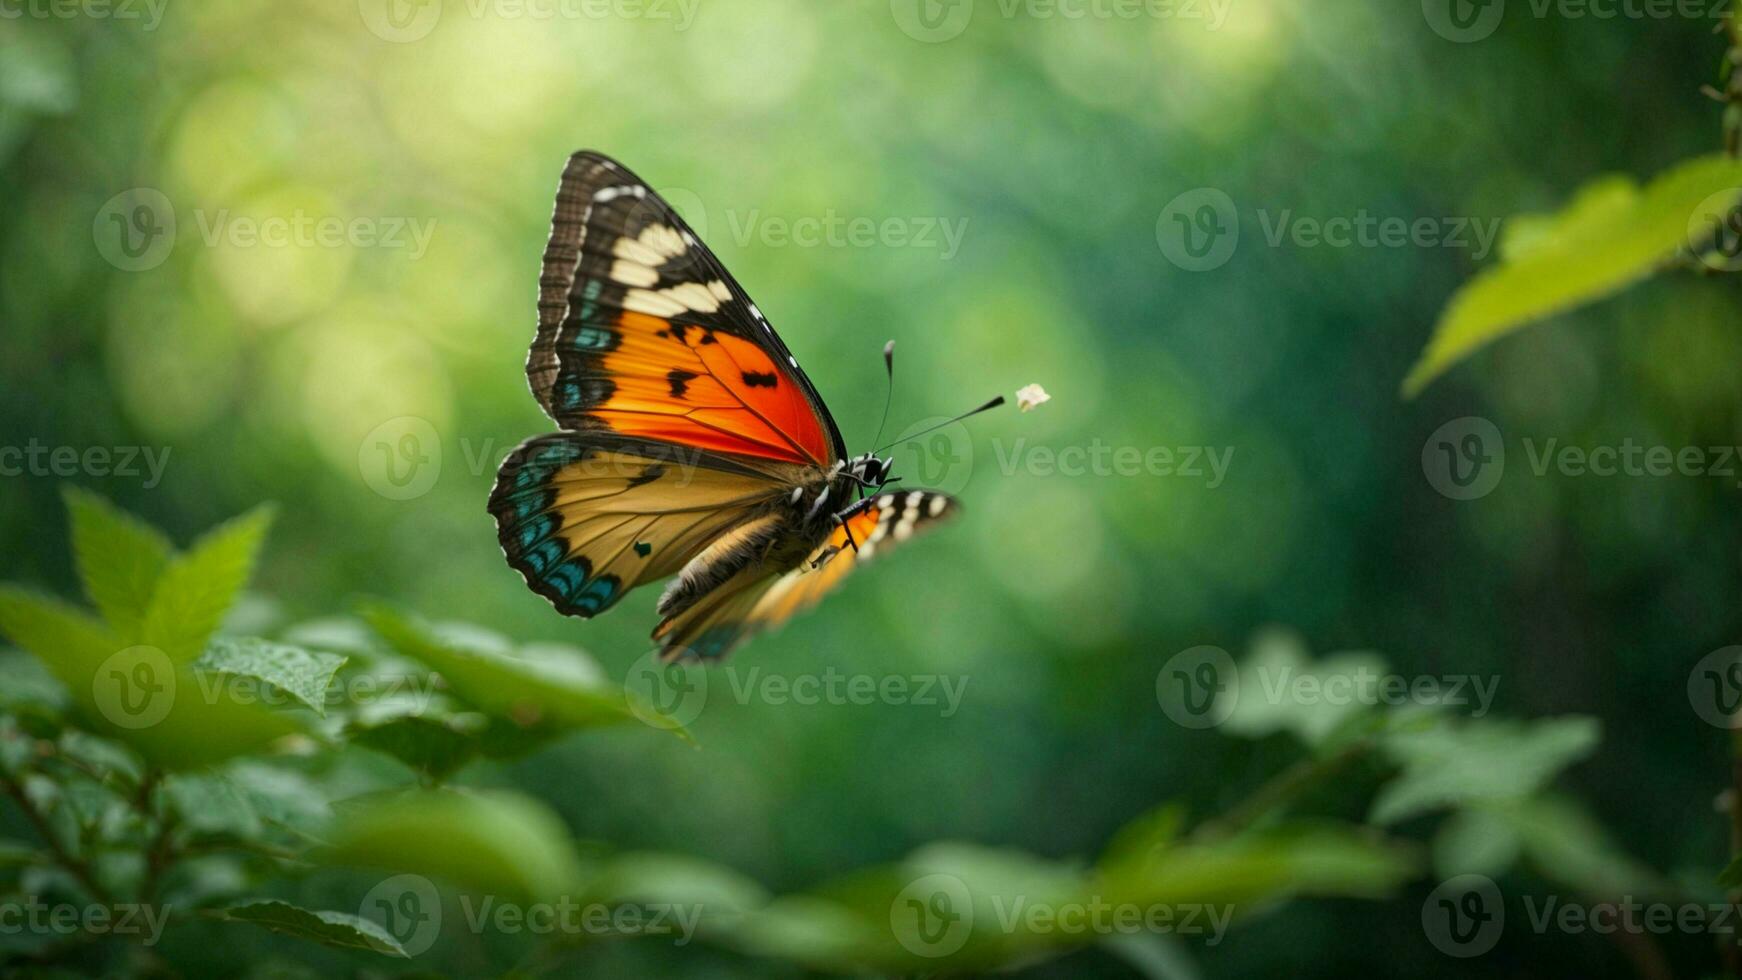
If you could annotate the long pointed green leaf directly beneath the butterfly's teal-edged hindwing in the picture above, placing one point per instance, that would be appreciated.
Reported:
(539, 692)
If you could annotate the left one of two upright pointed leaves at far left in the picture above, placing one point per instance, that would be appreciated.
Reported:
(119, 560)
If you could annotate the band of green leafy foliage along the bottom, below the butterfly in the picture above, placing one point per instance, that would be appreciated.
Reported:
(217, 809)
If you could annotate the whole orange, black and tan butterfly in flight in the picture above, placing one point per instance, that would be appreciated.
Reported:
(692, 445)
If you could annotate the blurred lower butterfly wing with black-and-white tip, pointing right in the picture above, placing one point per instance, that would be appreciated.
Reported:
(757, 600)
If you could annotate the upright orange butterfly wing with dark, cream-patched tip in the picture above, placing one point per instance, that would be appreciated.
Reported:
(642, 332)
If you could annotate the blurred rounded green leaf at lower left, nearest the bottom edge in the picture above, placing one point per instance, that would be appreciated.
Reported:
(492, 843)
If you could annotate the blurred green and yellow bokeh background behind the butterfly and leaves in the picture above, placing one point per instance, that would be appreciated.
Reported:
(1055, 144)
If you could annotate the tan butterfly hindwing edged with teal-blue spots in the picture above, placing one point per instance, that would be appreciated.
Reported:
(586, 518)
